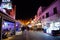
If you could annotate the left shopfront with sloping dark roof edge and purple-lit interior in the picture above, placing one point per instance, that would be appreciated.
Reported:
(7, 25)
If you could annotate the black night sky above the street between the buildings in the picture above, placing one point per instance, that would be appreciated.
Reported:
(26, 9)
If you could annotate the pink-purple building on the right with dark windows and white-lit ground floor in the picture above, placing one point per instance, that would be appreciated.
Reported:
(50, 18)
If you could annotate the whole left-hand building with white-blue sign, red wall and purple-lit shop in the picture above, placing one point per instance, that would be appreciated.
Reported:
(7, 19)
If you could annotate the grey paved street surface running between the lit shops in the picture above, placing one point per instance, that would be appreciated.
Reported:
(34, 36)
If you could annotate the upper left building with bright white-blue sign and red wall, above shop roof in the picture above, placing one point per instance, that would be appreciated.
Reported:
(6, 4)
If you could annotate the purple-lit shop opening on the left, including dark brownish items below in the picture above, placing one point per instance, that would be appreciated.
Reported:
(8, 27)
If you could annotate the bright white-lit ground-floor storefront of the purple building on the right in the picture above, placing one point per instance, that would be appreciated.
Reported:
(51, 24)
